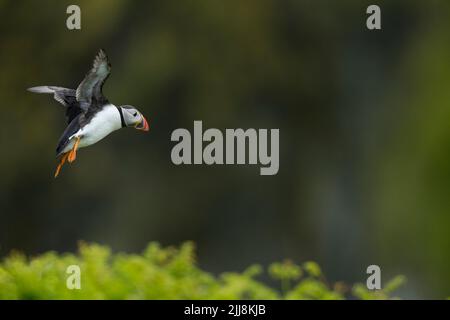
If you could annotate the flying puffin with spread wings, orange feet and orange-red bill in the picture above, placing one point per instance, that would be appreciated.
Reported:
(90, 116)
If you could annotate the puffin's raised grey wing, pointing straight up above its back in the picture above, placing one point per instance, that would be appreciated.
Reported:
(89, 92)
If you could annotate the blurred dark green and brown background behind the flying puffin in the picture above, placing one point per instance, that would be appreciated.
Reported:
(364, 119)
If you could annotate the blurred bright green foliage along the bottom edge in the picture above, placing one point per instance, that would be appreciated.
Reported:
(163, 273)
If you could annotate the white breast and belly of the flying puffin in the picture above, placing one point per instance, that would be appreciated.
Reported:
(103, 123)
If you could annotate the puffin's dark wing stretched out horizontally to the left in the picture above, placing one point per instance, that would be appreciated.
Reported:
(66, 97)
